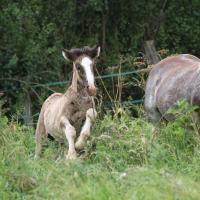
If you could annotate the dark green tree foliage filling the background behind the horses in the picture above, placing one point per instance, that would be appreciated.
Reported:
(33, 34)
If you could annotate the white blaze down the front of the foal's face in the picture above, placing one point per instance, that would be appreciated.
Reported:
(86, 63)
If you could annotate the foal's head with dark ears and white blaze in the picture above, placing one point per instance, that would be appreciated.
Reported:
(83, 60)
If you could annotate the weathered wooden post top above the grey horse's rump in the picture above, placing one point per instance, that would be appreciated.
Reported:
(150, 52)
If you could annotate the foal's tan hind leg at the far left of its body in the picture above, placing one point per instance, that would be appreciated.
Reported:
(39, 134)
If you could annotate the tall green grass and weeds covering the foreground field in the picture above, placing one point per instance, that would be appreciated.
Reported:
(125, 158)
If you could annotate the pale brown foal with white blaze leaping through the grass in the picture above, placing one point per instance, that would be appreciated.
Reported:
(62, 115)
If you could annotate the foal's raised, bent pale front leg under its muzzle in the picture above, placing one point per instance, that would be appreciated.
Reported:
(85, 131)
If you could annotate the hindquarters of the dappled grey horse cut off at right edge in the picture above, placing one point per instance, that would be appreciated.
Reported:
(174, 78)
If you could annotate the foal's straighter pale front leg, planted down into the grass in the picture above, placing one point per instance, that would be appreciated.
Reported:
(70, 134)
